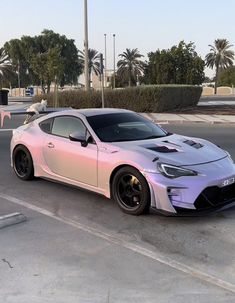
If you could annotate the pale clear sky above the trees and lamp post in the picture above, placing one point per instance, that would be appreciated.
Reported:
(144, 24)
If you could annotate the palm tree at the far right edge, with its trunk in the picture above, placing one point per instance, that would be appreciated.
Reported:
(220, 57)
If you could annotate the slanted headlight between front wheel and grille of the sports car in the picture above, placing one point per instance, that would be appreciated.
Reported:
(171, 171)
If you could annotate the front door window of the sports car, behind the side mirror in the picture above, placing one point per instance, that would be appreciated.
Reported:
(65, 125)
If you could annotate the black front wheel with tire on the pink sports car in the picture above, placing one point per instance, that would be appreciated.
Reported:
(131, 191)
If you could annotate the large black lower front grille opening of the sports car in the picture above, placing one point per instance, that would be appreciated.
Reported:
(214, 196)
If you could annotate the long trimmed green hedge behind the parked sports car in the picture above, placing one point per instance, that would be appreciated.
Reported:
(149, 98)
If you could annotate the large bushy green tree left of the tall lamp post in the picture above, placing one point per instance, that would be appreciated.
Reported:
(48, 47)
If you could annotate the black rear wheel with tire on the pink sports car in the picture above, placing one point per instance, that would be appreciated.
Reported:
(23, 163)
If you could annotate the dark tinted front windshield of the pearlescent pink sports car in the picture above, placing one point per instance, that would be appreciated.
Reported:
(117, 127)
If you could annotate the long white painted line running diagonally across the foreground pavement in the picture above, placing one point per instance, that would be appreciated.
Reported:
(131, 246)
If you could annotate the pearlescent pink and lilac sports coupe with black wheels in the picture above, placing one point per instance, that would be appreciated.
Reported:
(120, 154)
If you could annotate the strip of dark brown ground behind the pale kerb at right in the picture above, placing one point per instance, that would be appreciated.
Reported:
(208, 110)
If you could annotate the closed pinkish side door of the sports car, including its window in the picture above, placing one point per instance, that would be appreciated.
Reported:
(67, 158)
